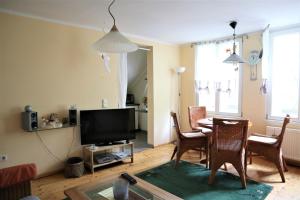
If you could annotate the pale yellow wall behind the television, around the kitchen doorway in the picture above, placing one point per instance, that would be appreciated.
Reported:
(51, 67)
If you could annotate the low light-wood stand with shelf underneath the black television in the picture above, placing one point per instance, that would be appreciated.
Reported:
(89, 154)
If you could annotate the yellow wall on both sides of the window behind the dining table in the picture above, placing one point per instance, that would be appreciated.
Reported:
(253, 103)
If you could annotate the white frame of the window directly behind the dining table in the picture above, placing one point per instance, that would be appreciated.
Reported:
(217, 93)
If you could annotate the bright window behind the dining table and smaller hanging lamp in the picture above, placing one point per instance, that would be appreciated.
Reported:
(218, 85)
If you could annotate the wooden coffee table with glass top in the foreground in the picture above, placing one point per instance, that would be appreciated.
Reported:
(103, 190)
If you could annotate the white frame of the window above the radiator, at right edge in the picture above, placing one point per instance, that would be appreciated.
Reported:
(269, 85)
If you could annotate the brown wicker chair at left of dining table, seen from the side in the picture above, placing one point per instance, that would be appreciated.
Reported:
(196, 140)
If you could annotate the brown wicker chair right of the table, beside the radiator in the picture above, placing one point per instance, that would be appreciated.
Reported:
(269, 147)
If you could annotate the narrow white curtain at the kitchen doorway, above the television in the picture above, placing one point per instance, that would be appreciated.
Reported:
(122, 80)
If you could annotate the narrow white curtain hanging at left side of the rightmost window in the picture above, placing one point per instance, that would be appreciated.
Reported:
(265, 59)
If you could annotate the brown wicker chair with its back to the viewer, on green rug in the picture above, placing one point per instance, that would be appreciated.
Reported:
(228, 145)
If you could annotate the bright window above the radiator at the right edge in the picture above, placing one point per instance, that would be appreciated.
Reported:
(284, 74)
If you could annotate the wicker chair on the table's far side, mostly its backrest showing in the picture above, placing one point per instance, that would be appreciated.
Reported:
(196, 113)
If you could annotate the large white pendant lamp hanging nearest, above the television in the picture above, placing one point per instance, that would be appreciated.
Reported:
(114, 41)
